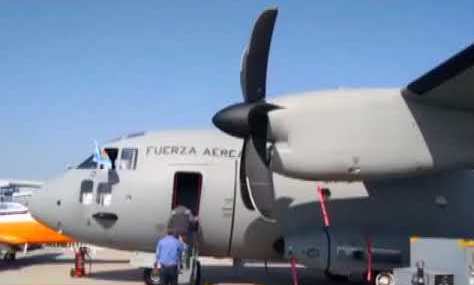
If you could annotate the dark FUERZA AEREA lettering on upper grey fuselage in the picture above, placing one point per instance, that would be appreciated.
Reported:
(192, 151)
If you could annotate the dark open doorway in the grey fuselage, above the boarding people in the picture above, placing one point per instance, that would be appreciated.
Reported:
(187, 191)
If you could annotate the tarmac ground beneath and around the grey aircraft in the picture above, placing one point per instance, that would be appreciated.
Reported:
(51, 266)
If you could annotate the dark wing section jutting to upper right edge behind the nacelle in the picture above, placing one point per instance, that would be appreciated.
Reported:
(451, 84)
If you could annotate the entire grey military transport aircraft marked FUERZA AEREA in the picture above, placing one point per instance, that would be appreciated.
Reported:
(389, 164)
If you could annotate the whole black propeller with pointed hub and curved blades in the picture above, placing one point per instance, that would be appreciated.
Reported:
(249, 119)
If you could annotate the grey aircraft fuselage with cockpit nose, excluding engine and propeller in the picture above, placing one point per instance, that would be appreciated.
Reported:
(129, 207)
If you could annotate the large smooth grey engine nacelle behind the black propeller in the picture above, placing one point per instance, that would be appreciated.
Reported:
(364, 134)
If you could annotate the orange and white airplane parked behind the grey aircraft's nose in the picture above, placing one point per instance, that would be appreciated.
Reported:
(18, 229)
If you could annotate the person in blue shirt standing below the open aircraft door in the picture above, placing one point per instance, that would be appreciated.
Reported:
(168, 258)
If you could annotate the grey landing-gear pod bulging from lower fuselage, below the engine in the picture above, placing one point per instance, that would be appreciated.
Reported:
(346, 253)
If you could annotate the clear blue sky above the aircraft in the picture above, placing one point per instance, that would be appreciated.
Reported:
(74, 71)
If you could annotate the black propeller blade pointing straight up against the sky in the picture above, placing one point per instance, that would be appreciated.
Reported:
(253, 74)
